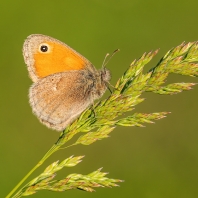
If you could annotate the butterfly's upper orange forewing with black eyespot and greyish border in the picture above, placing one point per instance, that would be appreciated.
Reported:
(45, 55)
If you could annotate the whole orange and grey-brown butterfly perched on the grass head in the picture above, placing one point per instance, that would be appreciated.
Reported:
(65, 83)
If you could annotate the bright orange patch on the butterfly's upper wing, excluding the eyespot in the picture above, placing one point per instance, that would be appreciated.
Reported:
(59, 58)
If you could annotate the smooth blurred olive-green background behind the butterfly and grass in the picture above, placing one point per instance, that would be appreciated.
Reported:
(160, 160)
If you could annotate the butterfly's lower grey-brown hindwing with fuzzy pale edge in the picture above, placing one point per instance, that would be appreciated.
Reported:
(60, 98)
